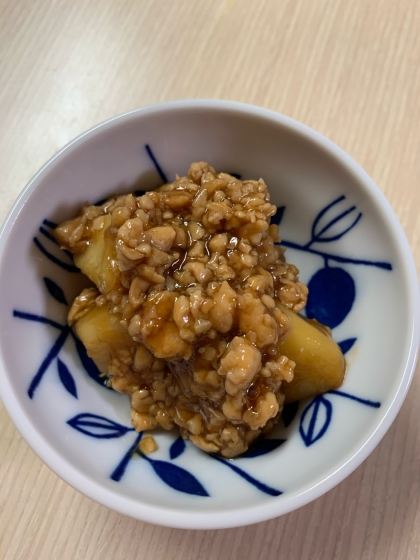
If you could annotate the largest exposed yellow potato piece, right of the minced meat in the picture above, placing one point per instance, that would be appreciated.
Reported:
(320, 364)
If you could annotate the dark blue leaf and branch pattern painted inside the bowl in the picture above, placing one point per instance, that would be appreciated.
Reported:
(332, 292)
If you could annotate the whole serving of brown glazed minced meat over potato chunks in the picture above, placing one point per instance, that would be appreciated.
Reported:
(194, 309)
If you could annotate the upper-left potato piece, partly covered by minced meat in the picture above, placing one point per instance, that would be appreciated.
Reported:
(95, 261)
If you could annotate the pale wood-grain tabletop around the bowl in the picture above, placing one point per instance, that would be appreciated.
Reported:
(349, 69)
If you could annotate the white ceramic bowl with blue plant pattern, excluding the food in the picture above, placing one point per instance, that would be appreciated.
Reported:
(341, 233)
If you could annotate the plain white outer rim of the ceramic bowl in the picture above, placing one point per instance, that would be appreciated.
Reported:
(286, 503)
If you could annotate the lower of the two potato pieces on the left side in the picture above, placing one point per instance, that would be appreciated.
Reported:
(103, 335)
